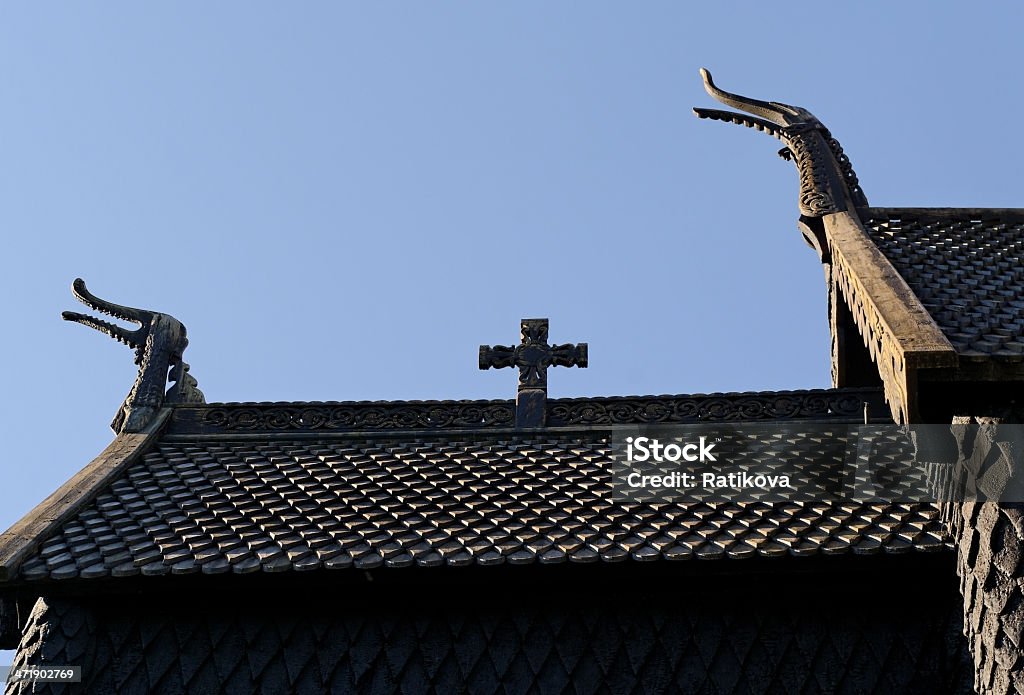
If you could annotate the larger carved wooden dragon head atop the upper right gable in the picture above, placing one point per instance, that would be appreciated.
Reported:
(827, 178)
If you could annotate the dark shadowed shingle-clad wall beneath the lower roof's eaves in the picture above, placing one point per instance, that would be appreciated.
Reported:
(877, 638)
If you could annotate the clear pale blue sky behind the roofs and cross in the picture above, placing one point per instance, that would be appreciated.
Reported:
(343, 202)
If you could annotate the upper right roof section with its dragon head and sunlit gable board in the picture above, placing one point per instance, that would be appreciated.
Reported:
(918, 297)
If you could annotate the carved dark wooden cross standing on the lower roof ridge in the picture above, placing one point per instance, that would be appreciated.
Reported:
(534, 356)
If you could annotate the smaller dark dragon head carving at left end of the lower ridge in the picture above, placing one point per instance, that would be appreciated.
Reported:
(159, 344)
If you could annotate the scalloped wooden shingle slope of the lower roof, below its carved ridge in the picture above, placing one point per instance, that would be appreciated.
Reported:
(275, 502)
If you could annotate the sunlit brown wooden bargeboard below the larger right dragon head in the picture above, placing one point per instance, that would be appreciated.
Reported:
(899, 332)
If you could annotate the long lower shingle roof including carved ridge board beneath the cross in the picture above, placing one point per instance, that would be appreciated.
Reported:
(281, 491)
